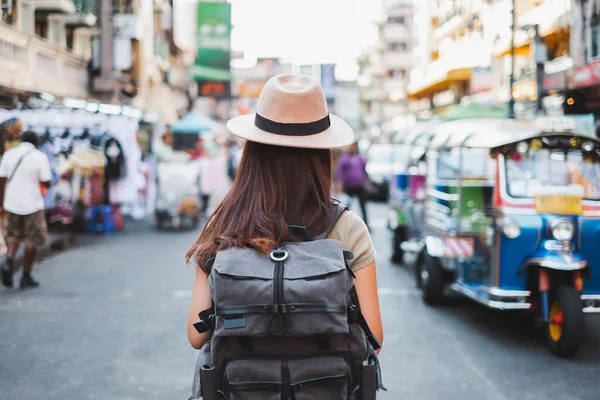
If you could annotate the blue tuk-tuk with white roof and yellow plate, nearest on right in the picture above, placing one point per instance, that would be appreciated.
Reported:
(512, 221)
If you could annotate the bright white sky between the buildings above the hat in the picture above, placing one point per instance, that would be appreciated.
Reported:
(301, 31)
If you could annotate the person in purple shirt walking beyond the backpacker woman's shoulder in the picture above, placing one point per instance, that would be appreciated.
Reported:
(352, 177)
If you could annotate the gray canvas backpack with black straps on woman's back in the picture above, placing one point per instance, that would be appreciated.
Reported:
(286, 325)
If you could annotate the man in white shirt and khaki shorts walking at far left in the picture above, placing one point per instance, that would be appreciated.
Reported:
(24, 170)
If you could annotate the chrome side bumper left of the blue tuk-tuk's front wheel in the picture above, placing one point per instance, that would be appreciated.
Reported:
(494, 297)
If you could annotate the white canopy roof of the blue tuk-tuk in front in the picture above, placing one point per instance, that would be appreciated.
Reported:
(484, 133)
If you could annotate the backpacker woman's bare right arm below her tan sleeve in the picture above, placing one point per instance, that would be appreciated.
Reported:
(366, 287)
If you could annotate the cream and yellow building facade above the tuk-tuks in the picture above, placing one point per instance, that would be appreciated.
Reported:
(463, 52)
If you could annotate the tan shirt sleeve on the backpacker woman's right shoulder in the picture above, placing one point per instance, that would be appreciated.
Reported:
(354, 235)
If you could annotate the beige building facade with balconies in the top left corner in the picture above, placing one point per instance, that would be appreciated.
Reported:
(46, 45)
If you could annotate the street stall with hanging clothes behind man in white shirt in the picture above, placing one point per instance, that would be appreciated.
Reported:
(96, 157)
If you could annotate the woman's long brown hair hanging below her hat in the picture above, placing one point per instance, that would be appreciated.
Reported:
(275, 186)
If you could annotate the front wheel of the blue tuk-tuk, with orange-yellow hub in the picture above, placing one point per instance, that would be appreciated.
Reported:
(564, 332)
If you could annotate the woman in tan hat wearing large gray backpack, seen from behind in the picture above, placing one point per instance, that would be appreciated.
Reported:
(278, 306)
